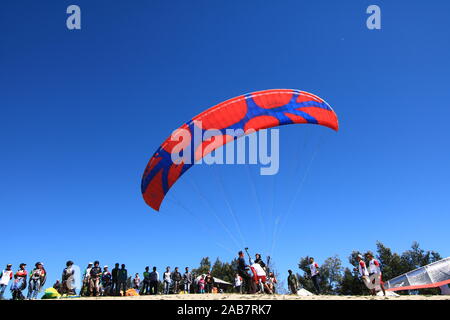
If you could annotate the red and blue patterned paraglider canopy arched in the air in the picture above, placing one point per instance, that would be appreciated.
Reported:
(249, 113)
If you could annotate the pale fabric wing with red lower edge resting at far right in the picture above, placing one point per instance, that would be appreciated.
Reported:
(433, 275)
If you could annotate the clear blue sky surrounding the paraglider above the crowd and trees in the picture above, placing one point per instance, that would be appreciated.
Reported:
(83, 111)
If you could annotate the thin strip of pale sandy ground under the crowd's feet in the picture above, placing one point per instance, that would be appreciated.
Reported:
(265, 297)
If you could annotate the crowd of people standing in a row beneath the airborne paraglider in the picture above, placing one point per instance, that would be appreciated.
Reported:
(253, 277)
